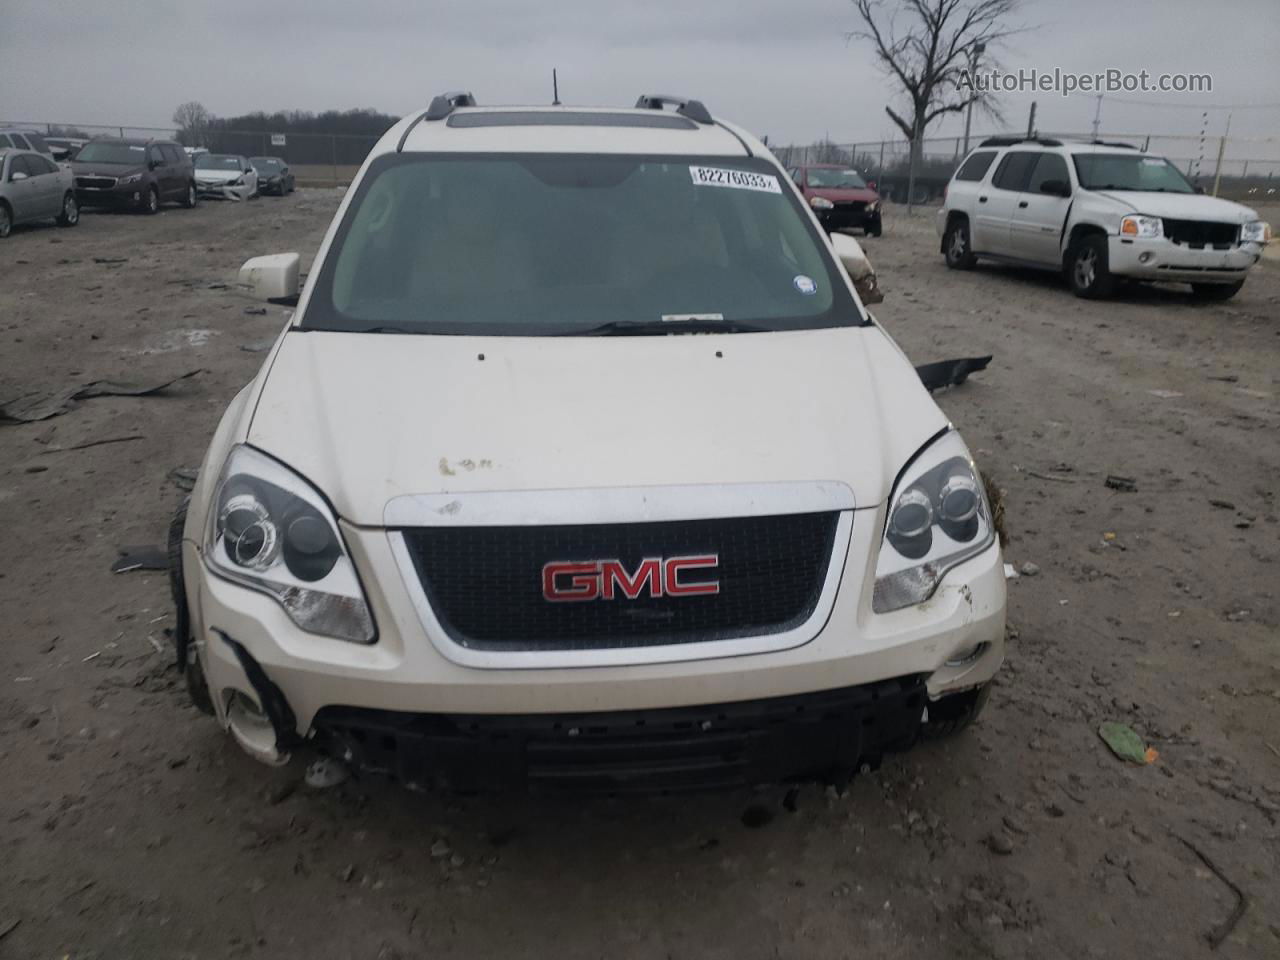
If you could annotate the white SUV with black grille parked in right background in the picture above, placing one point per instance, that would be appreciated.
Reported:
(1096, 212)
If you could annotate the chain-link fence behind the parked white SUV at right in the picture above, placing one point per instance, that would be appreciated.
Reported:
(1241, 168)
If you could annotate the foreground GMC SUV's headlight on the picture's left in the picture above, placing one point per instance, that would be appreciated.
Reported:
(272, 532)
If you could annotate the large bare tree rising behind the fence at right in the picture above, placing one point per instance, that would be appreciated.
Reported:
(929, 57)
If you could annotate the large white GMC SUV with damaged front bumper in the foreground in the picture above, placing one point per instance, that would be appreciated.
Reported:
(582, 465)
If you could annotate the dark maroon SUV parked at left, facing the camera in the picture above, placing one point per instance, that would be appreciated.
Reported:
(140, 175)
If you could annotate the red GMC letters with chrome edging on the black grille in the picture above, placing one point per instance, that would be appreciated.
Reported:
(610, 579)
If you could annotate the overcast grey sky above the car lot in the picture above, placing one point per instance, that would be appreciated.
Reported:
(783, 68)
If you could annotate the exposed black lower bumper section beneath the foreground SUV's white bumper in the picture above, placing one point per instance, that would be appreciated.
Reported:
(824, 737)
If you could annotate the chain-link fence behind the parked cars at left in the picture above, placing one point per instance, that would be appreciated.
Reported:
(318, 159)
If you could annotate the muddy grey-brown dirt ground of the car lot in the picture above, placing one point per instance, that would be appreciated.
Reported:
(131, 828)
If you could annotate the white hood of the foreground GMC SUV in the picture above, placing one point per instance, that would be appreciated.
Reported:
(373, 417)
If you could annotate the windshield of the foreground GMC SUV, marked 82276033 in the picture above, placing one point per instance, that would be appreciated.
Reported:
(560, 245)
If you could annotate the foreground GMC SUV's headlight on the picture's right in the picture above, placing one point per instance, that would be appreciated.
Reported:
(939, 516)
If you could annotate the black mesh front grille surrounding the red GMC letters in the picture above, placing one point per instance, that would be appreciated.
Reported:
(486, 584)
